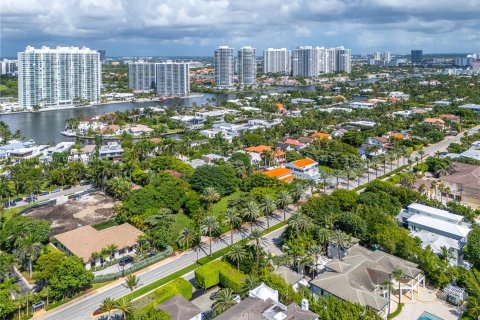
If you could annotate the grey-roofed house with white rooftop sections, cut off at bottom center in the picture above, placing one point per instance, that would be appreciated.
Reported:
(263, 303)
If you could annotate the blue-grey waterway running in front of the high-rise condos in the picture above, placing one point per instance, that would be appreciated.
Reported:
(45, 127)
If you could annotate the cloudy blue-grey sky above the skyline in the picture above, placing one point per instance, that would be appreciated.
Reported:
(197, 27)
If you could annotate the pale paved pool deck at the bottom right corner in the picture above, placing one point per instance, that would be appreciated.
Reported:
(425, 300)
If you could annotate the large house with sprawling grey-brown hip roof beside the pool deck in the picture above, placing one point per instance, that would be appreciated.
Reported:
(360, 277)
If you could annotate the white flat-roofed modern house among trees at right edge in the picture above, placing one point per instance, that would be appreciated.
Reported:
(436, 228)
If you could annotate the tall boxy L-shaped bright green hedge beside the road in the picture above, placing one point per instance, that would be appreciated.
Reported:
(221, 272)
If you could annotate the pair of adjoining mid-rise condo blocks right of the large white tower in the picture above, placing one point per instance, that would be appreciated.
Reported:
(165, 78)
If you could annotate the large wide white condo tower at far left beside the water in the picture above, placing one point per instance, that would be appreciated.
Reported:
(55, 77)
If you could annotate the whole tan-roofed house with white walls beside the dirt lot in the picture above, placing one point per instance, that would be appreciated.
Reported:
(85, 241)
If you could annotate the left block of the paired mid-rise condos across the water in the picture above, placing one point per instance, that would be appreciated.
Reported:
(142, 76)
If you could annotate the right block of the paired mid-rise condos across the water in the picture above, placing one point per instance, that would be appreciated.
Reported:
(173, 78)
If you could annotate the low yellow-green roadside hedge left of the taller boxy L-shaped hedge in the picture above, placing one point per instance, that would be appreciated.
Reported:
(177, 286)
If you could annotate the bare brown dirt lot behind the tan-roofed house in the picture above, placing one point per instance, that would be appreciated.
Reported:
(90, 209)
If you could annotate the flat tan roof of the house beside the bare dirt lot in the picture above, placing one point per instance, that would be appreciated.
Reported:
(84, 241)
